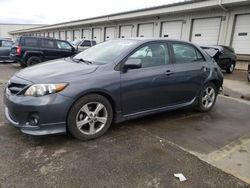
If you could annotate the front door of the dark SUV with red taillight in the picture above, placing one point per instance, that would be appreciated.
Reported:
(64, 49)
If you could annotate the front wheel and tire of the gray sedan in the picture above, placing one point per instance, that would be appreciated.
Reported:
(90, 117)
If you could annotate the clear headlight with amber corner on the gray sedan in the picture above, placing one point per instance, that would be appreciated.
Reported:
(38, 90)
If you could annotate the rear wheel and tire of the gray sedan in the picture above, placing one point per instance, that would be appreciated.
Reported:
(207, 97)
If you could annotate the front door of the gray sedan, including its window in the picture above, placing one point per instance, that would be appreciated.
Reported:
(148, 87)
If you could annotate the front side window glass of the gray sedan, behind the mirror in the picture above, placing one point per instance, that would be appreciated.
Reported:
(155, 54)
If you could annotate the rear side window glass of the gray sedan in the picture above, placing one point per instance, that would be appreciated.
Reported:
(185, 53)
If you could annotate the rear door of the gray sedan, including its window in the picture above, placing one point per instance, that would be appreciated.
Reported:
(191, 71)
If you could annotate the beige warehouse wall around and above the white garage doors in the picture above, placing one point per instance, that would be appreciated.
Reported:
(225, 34)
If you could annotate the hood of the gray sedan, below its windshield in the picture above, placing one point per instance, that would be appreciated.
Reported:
(61, 70)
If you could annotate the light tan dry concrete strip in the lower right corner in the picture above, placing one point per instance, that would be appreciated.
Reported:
(228, 158)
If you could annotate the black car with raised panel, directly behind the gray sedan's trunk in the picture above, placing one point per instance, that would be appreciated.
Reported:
(226, 57)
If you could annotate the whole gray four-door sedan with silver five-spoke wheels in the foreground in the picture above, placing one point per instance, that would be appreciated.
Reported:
(111, 82)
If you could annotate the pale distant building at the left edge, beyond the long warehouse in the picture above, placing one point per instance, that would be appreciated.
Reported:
(6, 28)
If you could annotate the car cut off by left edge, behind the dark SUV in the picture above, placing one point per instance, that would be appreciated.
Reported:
(5, 47)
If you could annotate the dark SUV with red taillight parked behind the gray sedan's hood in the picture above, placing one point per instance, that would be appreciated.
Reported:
(29, 50)
